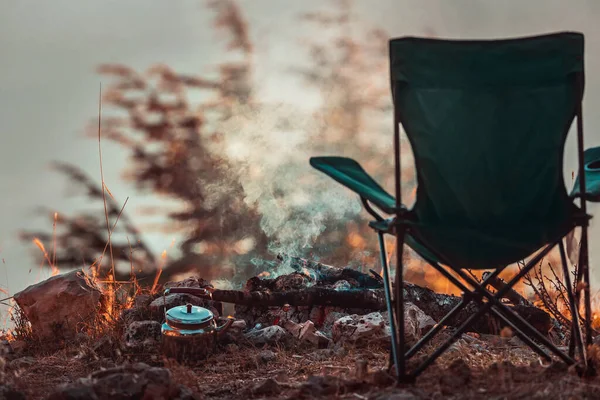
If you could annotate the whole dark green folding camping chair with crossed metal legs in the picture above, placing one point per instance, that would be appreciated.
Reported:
(487, 121)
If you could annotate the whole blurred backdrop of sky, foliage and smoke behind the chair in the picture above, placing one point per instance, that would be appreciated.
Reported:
(210, 112)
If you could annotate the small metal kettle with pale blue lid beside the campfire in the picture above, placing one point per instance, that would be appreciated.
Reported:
(190, 332)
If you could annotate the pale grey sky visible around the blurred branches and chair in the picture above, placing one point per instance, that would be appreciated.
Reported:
(49, 90)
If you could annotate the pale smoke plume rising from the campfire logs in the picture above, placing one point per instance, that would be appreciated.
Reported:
(270, 146)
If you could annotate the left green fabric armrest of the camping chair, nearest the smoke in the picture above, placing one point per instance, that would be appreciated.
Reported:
(350, 174)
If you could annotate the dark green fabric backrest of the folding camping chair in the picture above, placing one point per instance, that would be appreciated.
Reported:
(487, 121)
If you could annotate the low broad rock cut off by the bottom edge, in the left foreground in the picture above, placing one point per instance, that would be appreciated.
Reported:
(135, 381)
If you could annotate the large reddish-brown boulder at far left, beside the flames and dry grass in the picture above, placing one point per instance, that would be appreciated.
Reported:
(58, 306)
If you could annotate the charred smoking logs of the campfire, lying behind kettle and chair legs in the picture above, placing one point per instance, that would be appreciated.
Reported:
(318, 286)
